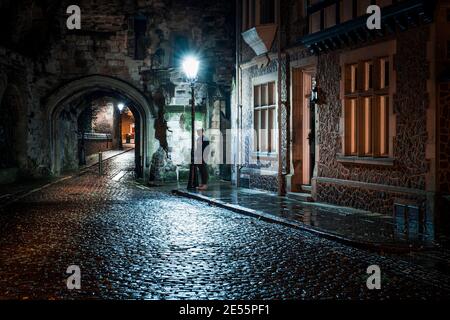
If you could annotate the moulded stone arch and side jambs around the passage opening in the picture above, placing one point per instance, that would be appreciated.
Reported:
(65, 105)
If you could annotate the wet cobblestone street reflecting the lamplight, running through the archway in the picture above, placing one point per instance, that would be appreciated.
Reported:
(135, 243)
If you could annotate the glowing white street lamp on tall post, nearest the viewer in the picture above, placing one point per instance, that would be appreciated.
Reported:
(190, 68)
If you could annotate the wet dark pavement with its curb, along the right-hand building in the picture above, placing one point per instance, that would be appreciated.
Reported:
(350, 226)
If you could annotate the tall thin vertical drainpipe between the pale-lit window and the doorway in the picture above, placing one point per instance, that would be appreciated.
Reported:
(280, 177)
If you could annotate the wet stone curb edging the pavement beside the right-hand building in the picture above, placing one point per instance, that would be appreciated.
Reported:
(371, 246)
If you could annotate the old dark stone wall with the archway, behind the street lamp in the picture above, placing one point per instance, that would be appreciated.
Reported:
(126, 50)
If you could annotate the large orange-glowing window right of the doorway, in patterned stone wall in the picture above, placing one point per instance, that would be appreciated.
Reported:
(366, 108)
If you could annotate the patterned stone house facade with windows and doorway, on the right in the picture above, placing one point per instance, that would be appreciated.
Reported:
(361, 115)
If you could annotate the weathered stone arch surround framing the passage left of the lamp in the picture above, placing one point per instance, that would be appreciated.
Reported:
(68, 94)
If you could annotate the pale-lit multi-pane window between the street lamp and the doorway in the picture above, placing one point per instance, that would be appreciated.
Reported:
(265, 118)
